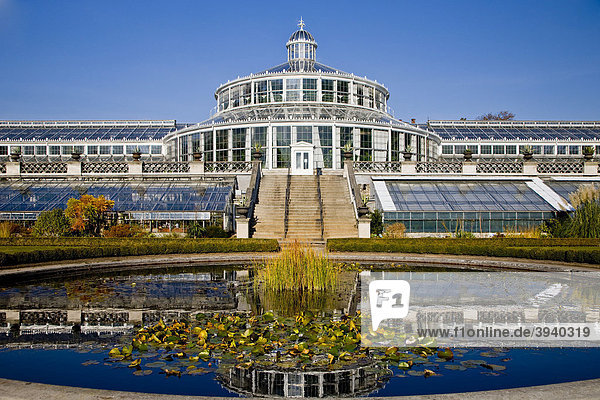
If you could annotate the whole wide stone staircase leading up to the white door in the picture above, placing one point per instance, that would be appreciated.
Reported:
(304, 218)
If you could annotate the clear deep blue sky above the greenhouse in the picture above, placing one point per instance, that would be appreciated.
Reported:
(118, 59)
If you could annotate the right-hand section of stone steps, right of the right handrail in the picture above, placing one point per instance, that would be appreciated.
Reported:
(338, 213)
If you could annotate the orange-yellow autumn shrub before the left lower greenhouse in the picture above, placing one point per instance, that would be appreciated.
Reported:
(88, 214)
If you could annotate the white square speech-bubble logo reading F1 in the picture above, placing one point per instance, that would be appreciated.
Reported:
(389, 299)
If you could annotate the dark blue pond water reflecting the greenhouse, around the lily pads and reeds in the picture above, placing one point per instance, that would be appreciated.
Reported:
(60, 332)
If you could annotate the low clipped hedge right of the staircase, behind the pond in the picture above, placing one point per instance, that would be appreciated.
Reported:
(569, 250)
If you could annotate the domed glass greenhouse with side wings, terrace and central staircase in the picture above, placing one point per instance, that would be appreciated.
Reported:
(302, 150)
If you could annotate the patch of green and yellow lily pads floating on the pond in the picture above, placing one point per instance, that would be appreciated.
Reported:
(304, 342)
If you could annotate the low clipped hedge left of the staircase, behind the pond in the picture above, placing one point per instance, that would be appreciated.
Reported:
(133, 247)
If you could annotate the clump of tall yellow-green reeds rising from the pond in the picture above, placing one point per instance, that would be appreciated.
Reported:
(298, 268)
